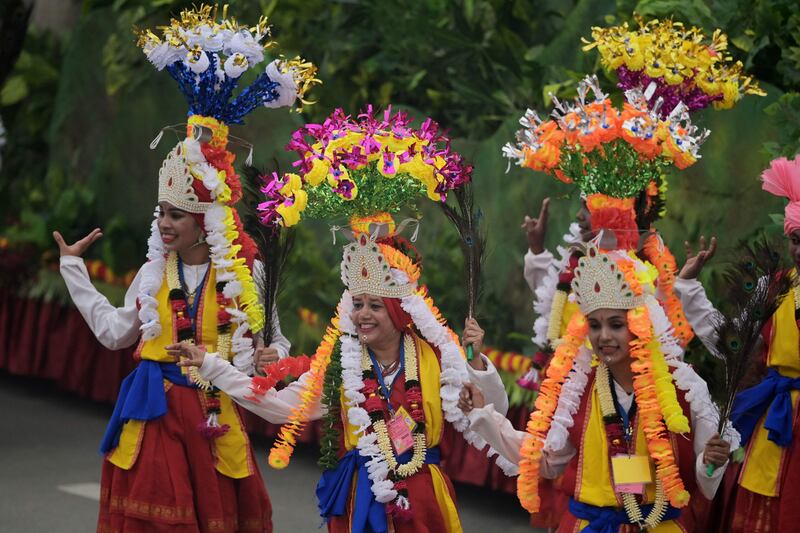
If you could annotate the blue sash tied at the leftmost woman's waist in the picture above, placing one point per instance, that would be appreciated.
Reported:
(141, 397)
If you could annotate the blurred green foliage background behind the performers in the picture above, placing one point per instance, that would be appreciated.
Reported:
(81, 108)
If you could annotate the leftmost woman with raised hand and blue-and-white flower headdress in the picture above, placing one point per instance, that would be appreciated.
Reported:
(177, 457)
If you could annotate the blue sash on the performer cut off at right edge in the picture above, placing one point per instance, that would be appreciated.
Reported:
(773, 396)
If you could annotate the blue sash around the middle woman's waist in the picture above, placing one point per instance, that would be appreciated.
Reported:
(333, 490)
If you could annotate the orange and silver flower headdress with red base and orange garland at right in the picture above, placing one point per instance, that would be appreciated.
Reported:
(617, 159)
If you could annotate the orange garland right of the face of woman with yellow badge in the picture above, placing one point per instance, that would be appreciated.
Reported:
(650, 414)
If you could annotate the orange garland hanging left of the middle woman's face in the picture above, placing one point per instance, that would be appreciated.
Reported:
(281, 452)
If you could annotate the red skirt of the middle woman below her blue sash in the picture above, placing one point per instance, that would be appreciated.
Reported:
(427, 516)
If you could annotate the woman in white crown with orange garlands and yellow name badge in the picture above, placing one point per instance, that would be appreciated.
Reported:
(633, 434)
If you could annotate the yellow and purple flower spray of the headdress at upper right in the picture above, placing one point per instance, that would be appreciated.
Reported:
(678, 65)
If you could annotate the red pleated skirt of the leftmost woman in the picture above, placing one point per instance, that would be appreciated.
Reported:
(174, 487)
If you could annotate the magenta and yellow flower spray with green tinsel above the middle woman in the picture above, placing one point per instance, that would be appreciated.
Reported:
(357, 167)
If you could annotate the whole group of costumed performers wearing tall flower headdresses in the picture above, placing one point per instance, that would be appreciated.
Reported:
(623, 435)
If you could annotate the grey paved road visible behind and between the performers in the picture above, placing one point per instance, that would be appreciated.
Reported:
(50, 470)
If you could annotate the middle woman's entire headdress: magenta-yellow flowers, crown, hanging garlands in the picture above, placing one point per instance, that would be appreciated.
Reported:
(364, 169)
